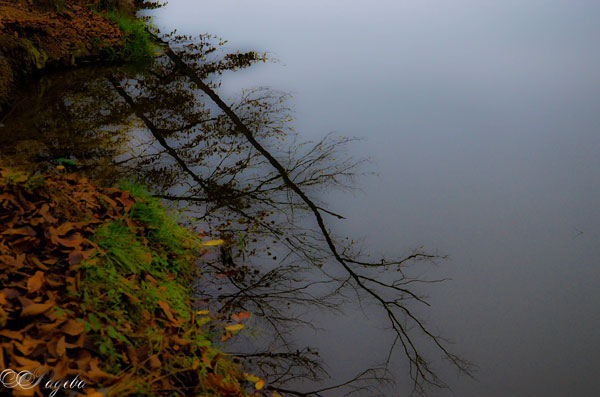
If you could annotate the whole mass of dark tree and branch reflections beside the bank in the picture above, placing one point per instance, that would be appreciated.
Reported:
(240, 170)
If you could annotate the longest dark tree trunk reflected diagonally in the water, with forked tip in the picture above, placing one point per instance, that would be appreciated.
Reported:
(401, 318)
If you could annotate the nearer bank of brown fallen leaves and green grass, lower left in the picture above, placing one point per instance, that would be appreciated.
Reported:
(96, 282)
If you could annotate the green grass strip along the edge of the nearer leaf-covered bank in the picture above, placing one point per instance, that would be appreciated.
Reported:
(147, 261)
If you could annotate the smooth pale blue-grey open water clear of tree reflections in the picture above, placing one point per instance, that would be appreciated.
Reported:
(483, 122)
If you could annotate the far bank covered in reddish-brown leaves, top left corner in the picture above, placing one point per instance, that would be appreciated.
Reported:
(37, 35)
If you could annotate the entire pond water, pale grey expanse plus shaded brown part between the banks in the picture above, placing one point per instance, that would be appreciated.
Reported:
(482, 123)
